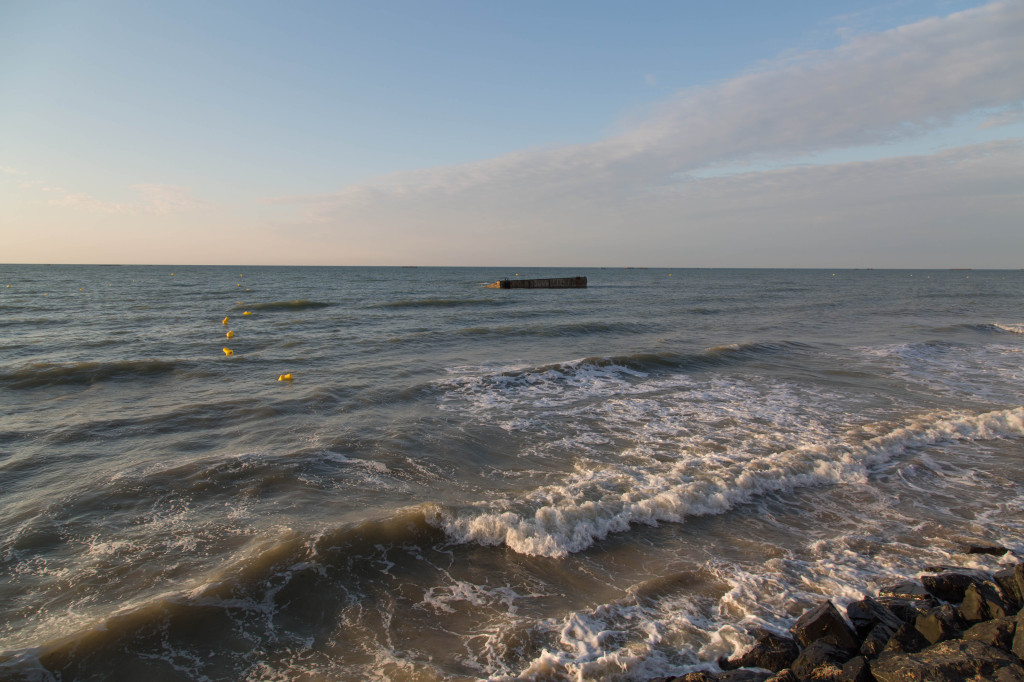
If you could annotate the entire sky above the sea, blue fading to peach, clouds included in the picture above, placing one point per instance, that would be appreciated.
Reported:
(879, 134)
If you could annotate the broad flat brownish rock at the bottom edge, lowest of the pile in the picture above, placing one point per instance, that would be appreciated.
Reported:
(955, 661)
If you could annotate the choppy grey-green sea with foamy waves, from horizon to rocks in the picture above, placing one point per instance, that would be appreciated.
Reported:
(468, 484)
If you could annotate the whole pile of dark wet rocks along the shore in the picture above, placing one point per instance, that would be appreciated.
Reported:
(950, 625)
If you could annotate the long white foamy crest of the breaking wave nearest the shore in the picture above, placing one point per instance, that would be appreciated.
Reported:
(591, 503)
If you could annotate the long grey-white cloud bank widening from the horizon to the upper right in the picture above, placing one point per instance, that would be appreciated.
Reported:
(576, 200)
